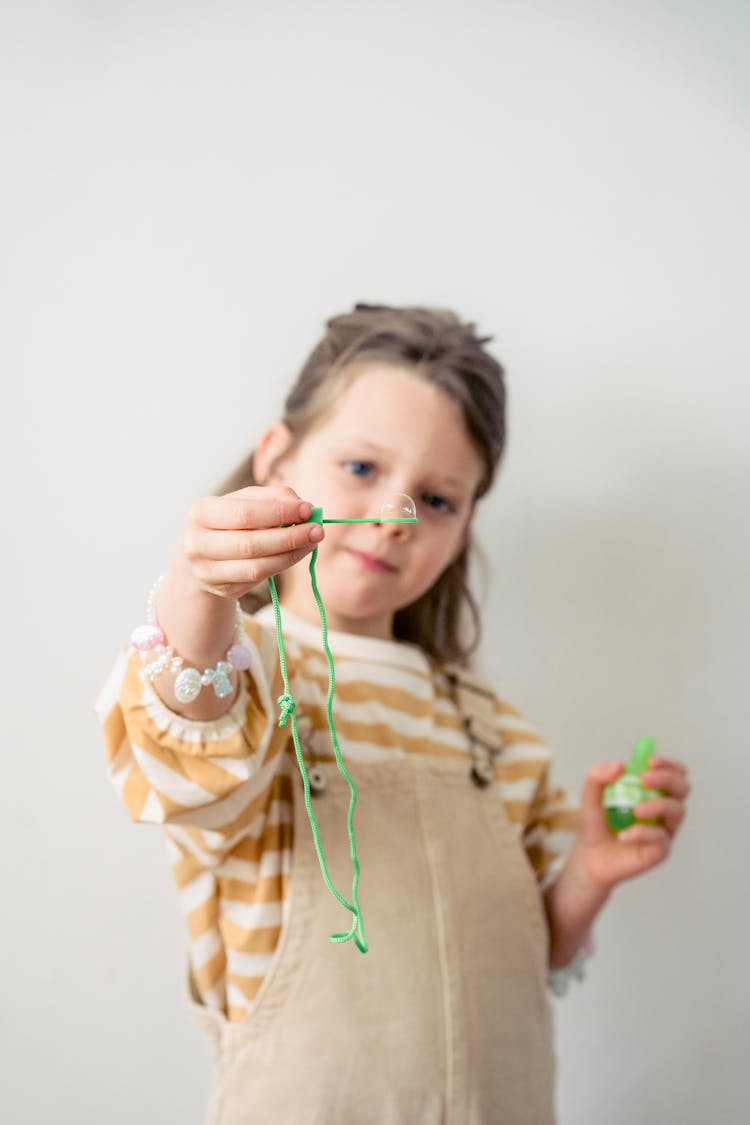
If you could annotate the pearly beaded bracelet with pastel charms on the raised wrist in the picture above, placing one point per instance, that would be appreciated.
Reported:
(188, 682)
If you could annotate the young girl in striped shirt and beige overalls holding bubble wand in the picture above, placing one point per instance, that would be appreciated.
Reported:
(459, 834)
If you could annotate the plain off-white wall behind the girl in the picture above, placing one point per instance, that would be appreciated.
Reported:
(188, 191)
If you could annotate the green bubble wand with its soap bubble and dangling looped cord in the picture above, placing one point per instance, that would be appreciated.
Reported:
(286, 701)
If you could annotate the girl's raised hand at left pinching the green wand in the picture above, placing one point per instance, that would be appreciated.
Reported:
(233, 543)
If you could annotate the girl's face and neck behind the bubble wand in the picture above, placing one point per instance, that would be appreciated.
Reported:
(390, 433)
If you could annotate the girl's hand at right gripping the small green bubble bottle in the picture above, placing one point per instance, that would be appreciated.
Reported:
(612, 858)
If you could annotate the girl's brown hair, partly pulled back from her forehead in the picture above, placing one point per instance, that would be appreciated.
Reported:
(448, 354)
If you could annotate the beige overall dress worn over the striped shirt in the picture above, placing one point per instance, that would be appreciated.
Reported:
(447, 1019)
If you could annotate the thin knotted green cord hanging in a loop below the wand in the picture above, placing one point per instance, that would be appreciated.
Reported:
(287, 704)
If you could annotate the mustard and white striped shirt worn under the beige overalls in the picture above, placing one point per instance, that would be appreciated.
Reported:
(223, 790)
